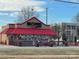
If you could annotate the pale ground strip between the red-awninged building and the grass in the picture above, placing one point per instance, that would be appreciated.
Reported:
(41, 47)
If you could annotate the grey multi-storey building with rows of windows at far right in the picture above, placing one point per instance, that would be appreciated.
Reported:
(71, 31)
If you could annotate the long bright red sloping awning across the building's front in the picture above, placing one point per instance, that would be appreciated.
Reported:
(35, 31)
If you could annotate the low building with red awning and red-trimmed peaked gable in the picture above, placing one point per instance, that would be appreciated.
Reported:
(29, 33)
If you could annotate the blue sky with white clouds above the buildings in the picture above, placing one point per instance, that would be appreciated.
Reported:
(58, 12)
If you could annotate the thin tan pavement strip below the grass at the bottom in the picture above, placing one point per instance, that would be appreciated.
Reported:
(40, 56)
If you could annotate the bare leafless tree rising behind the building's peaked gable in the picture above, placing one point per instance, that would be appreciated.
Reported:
(26, 13)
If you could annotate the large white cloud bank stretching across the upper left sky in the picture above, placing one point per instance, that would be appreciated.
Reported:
(18, 4)
